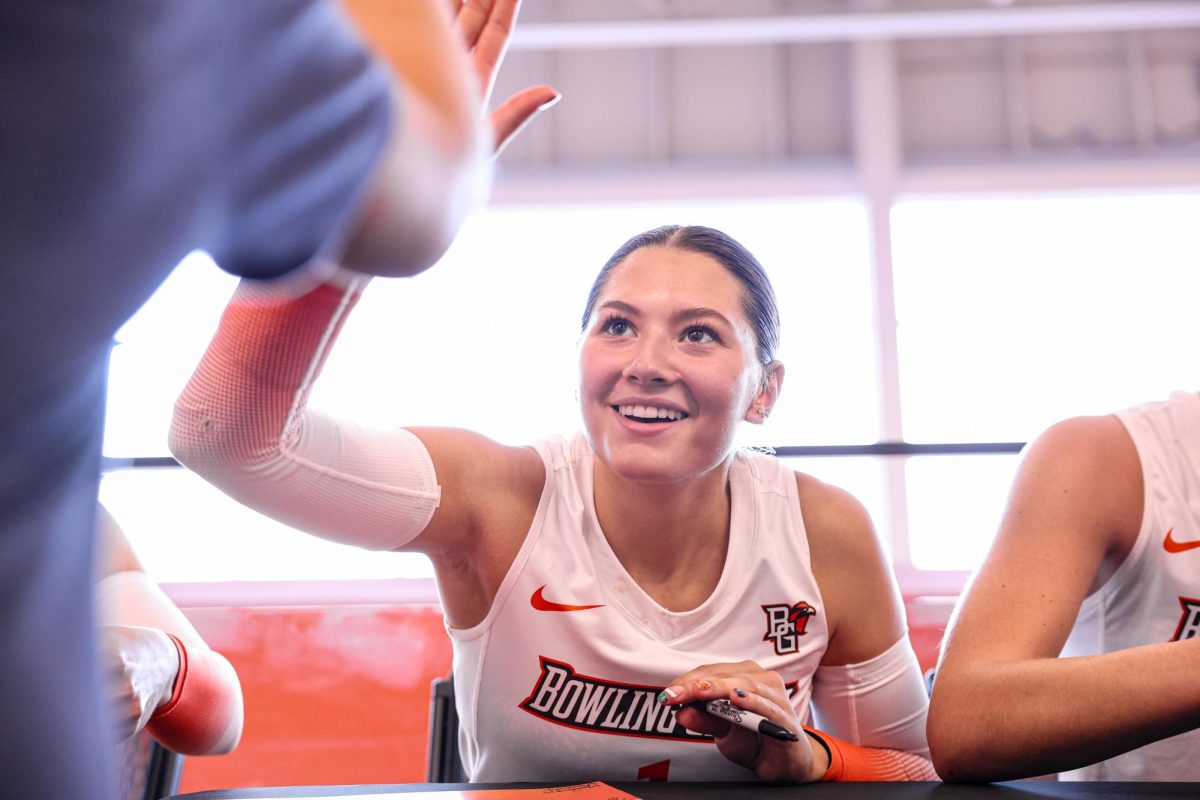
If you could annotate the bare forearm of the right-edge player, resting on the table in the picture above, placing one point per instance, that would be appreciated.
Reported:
(993, 721)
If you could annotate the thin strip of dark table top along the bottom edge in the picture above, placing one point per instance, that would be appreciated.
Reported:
(1010, 791)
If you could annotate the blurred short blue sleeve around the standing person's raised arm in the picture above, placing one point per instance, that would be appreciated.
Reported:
(309, 113)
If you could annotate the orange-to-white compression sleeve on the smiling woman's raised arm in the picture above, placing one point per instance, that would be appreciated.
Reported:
(243, 424)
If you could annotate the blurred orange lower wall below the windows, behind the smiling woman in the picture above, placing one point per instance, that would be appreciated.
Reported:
(339, 693)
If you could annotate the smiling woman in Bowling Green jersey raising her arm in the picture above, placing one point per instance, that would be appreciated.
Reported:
(598, 588)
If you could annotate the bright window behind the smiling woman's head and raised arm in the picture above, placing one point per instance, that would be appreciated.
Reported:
(488, 341)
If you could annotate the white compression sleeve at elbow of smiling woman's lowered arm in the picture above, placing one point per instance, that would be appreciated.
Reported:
(879, 703)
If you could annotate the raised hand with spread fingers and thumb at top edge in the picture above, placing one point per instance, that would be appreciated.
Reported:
(487, 28)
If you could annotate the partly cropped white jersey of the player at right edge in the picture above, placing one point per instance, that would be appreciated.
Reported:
(1155, 596)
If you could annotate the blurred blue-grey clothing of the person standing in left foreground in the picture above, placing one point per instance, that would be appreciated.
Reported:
(131, 134)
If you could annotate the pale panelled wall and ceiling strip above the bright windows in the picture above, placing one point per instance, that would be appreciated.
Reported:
(819, 97)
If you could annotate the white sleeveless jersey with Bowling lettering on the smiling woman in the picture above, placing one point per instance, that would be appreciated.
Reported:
(561, 679)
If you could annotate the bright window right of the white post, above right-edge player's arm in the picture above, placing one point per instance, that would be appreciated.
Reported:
(1015, 314)
